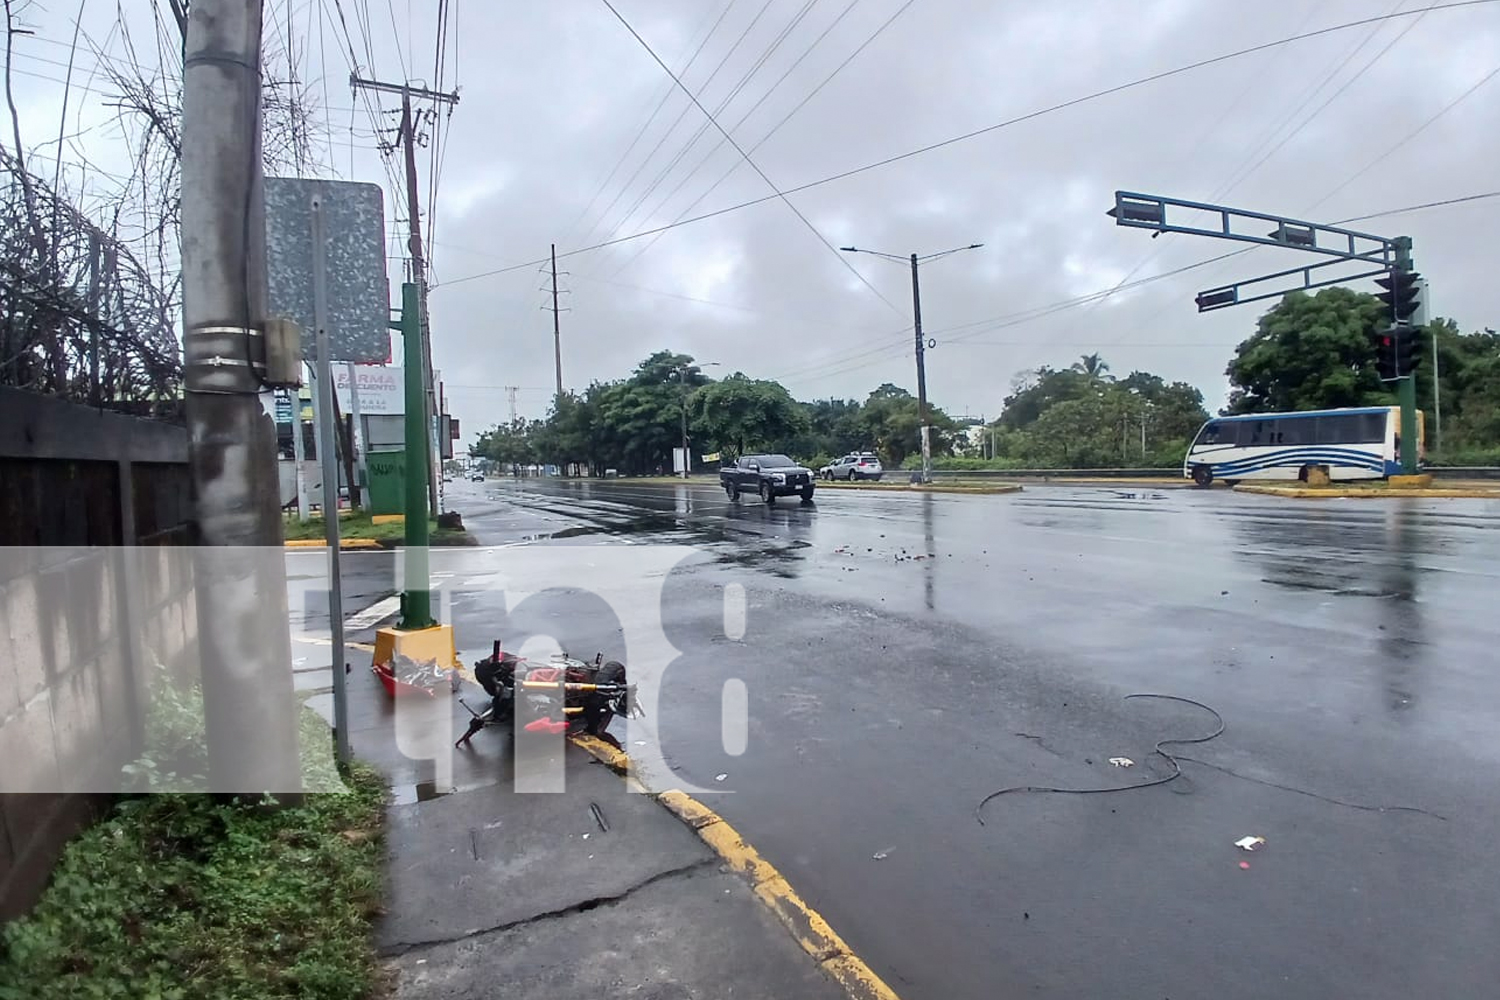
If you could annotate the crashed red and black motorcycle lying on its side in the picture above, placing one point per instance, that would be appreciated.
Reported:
(562, 696)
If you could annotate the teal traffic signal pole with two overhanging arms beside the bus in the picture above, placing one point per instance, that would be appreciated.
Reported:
(1388, 256)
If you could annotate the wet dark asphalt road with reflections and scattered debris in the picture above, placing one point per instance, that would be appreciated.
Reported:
(1351, 648)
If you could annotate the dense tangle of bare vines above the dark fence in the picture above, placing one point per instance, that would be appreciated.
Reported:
(80, 319)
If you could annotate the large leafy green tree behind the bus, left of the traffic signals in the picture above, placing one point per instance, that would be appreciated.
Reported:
(1310, 353)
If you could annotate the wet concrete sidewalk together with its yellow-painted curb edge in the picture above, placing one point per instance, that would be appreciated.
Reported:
(527, 896)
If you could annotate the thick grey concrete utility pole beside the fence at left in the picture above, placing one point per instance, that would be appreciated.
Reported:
(241, 575)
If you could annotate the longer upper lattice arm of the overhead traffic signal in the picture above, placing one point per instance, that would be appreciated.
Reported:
(1150, 212)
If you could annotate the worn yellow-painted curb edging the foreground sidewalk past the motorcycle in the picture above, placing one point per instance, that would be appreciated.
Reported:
(811, 930)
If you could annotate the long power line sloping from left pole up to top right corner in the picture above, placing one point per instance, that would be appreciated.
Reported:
(974, 134)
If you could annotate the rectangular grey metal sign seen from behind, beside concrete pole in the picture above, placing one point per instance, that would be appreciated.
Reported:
(355, 260)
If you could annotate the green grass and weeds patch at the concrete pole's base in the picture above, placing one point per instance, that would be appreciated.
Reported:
(184, 897)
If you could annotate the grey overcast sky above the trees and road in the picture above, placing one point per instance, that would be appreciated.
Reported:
(556, 95)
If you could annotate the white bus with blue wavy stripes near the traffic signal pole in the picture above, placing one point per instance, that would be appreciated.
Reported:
(1358, 443)
